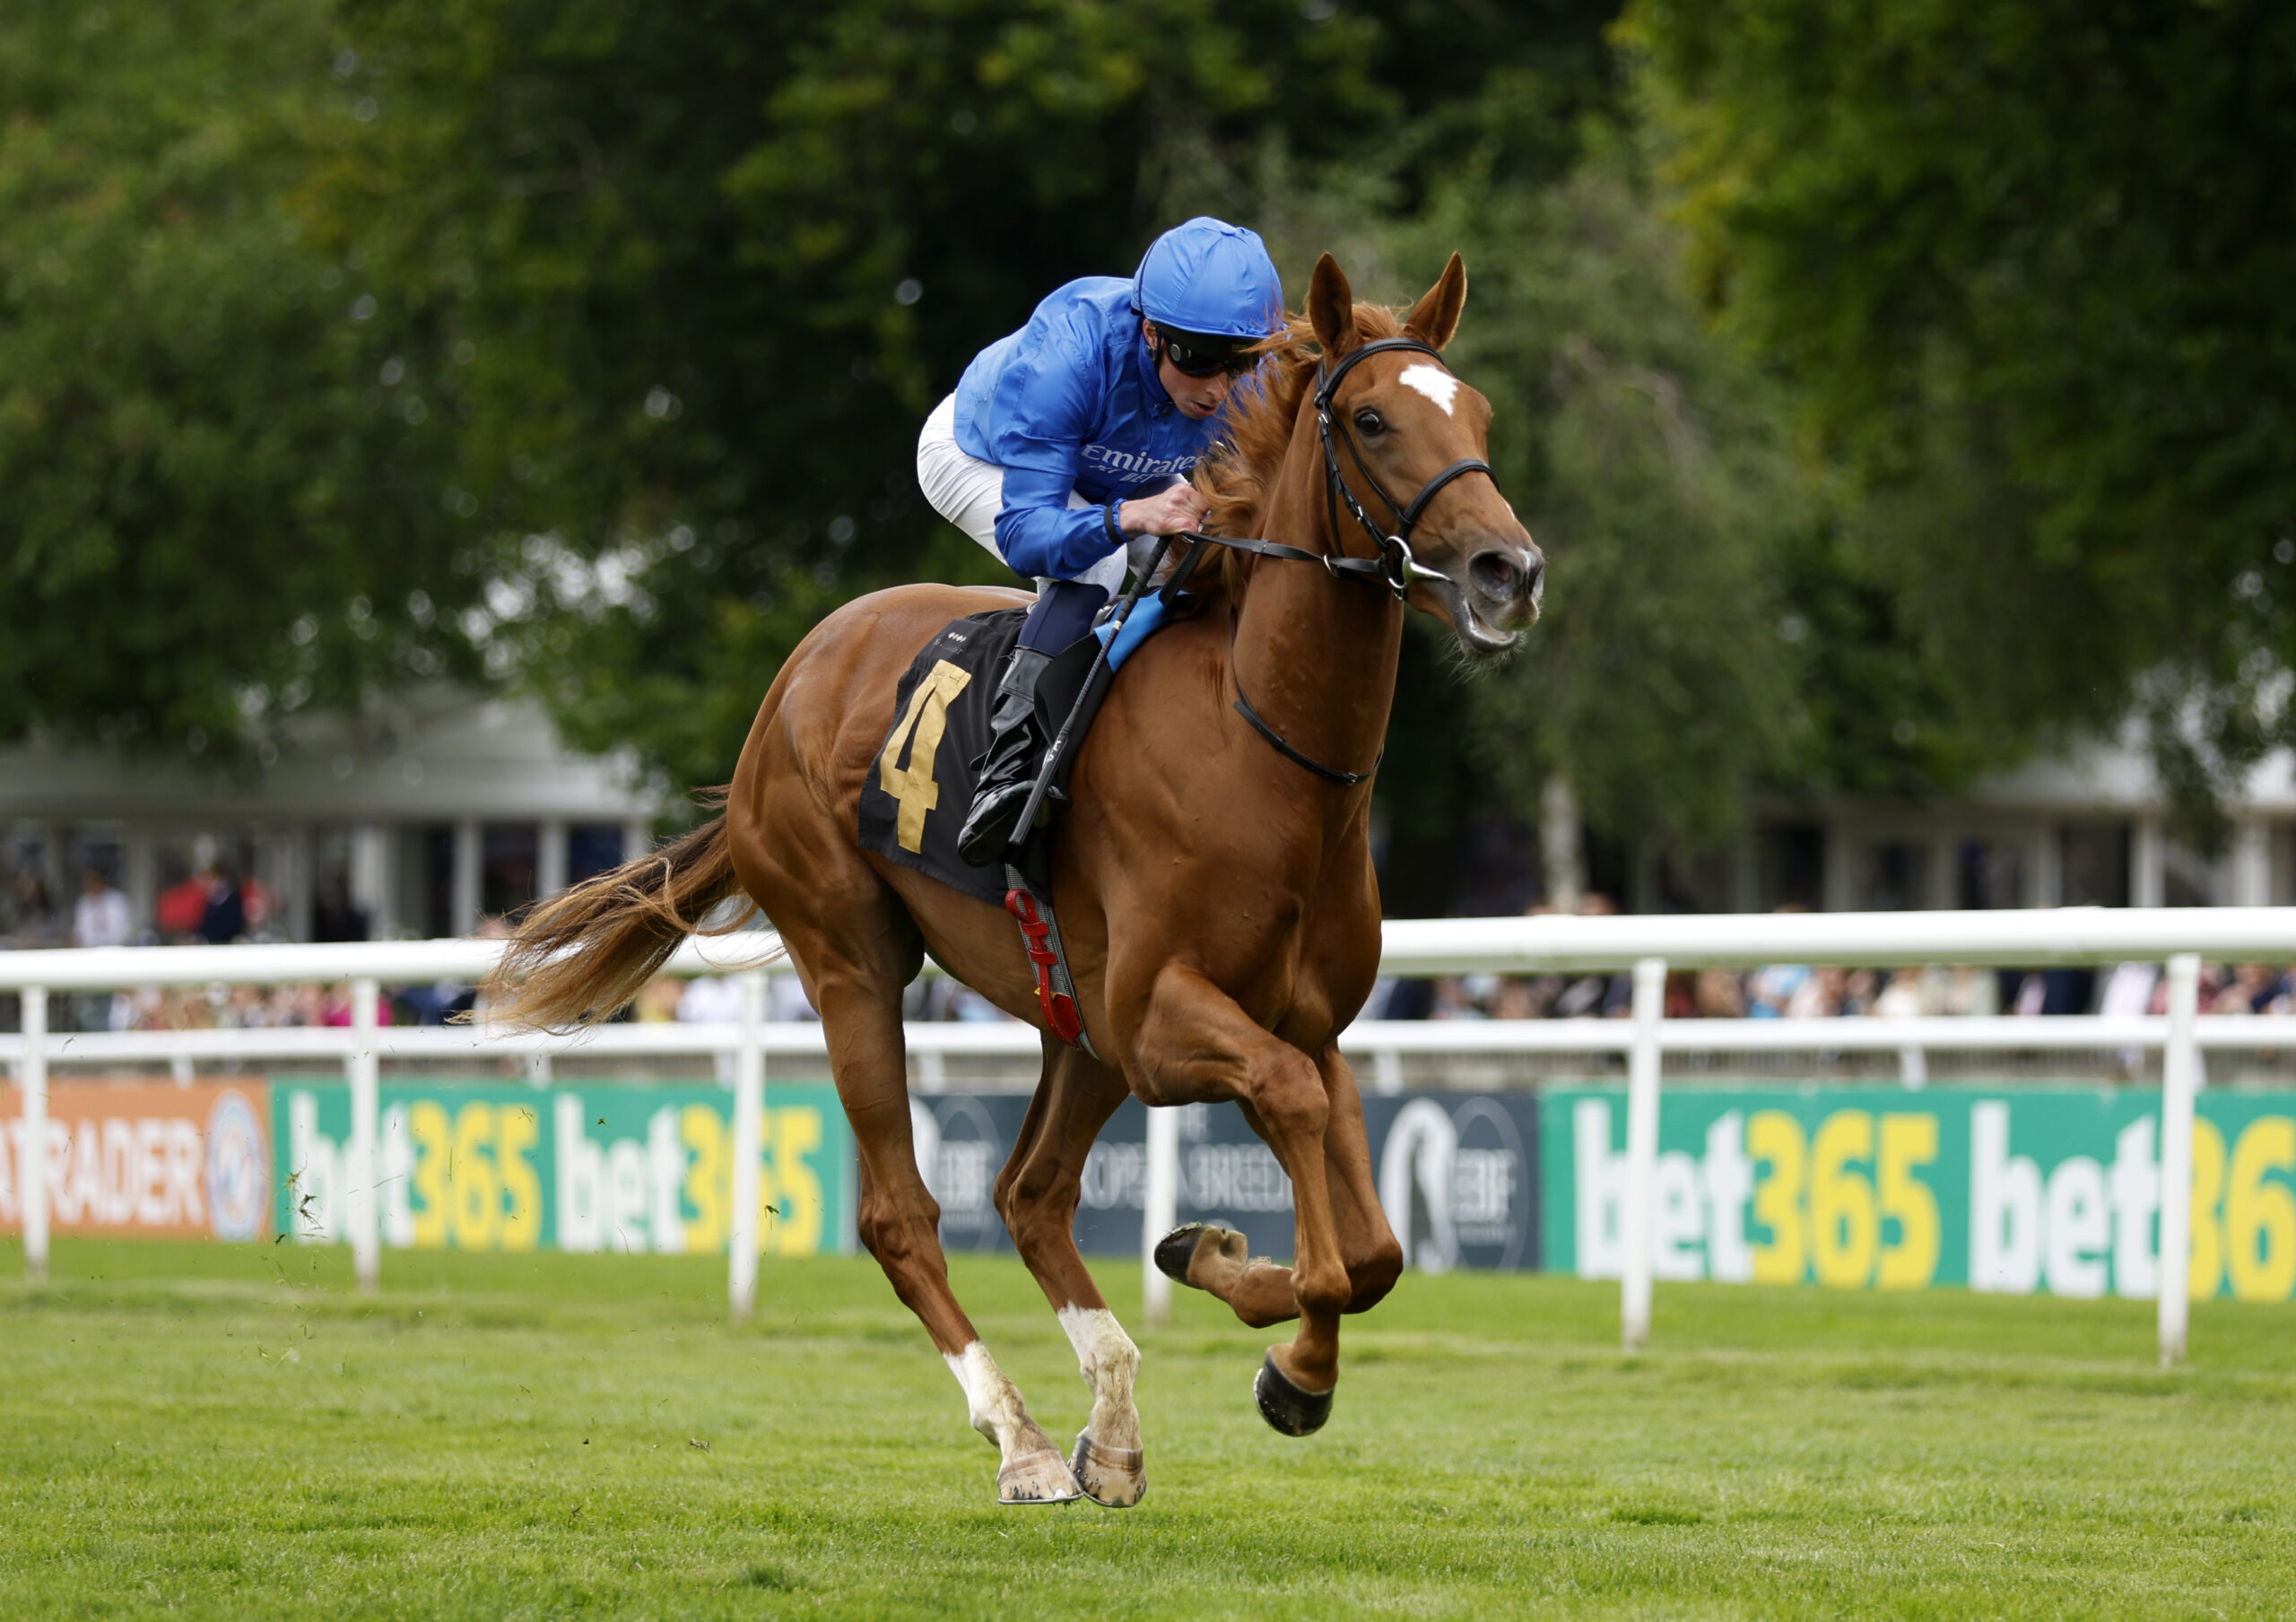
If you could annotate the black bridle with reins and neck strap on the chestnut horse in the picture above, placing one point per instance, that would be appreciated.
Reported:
(1393, 561)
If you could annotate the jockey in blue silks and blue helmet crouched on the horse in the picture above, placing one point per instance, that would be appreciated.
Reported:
(1073, 437)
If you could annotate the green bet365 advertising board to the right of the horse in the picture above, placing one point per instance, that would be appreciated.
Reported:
(2017, 1192)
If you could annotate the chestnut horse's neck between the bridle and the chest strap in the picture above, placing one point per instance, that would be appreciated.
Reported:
(1317, 655)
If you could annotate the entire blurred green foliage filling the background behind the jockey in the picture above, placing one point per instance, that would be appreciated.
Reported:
(584, 345)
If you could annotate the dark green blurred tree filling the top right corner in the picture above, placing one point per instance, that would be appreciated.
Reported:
(2031, 267)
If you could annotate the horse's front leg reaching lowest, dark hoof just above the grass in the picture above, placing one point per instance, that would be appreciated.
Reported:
(1197, 1045)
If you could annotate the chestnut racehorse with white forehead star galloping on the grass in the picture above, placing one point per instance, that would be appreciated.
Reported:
(1213, 875)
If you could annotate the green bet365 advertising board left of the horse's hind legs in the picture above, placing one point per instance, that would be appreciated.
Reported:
(566, 1169)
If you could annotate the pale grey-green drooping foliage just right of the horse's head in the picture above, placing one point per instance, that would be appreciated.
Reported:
(1659, 476)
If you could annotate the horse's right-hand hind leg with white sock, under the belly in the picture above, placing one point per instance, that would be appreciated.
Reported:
(1037, 1194)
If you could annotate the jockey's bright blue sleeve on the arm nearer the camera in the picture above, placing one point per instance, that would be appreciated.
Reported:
(1046, 405)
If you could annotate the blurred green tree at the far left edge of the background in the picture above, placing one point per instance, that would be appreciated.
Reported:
(215, 513)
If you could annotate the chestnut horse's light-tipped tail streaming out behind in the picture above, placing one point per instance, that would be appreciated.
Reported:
(580, 958)
